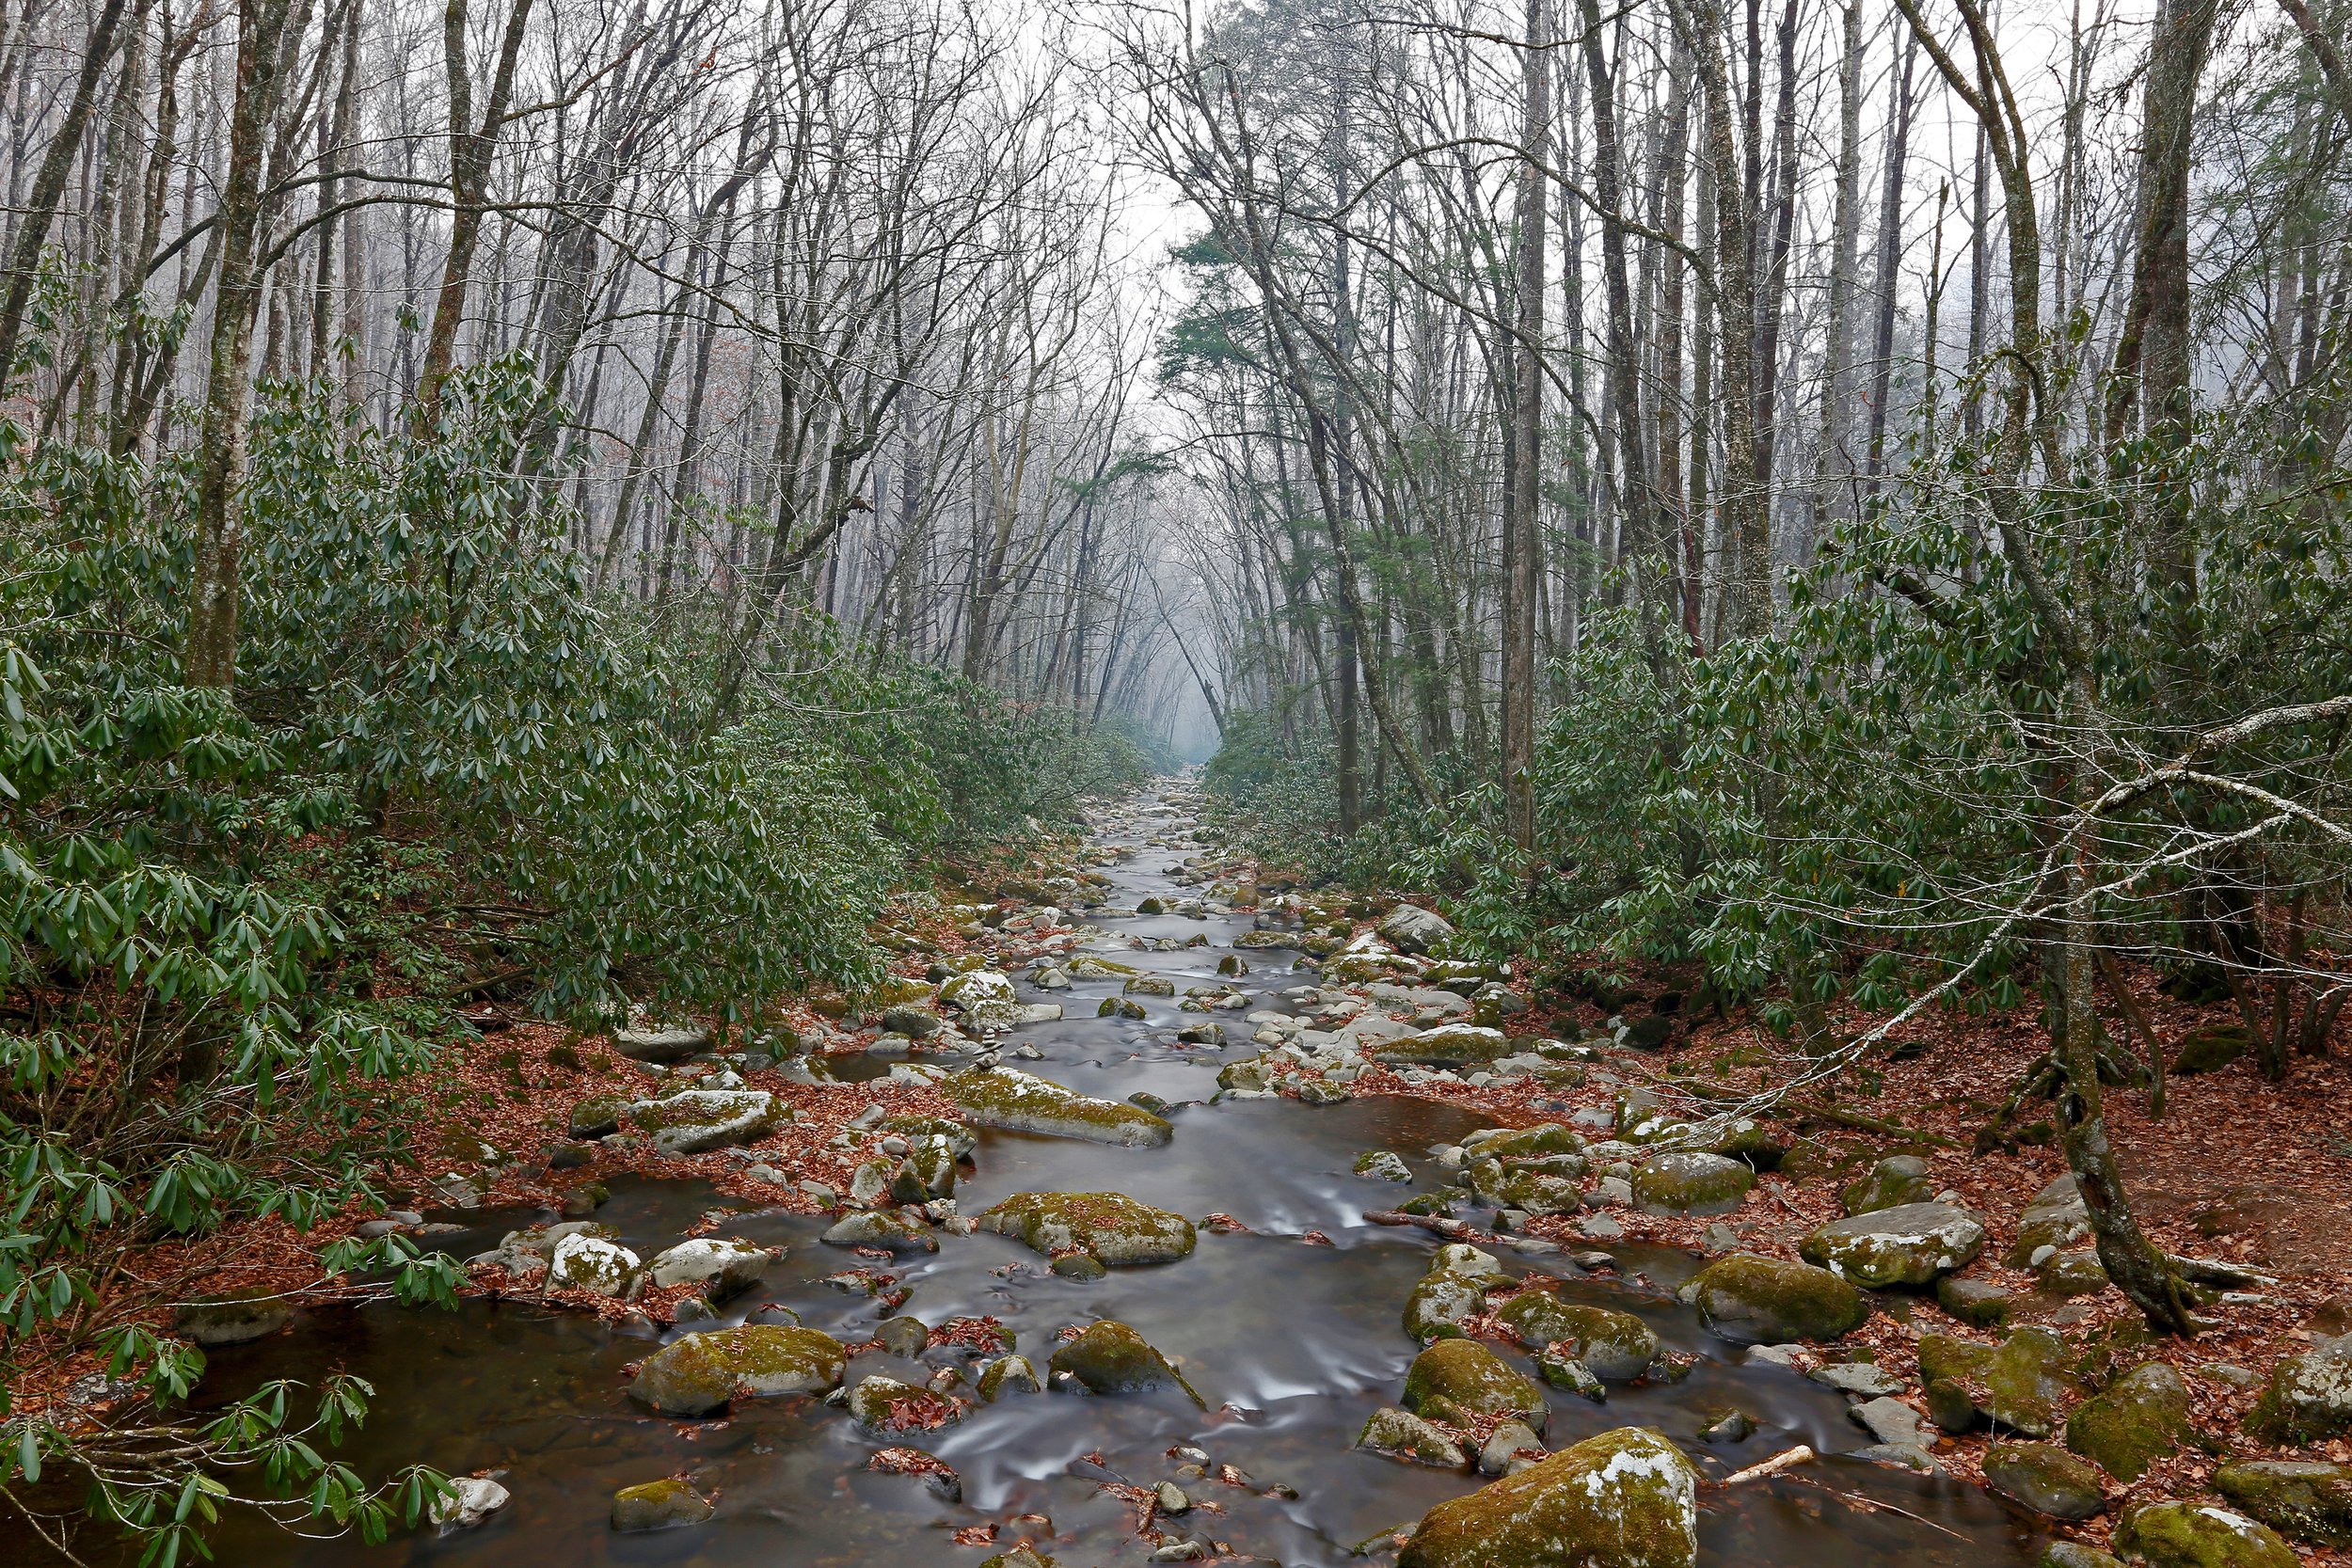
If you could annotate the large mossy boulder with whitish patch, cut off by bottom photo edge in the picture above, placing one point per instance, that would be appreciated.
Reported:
(1617, 1501)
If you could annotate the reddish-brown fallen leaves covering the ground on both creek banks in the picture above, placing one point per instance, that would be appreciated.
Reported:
(2240, 1170)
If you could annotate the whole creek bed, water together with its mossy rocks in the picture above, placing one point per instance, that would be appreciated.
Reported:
(1128, 1306)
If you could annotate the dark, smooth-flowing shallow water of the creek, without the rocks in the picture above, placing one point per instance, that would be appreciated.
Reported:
(1290, 1341)
